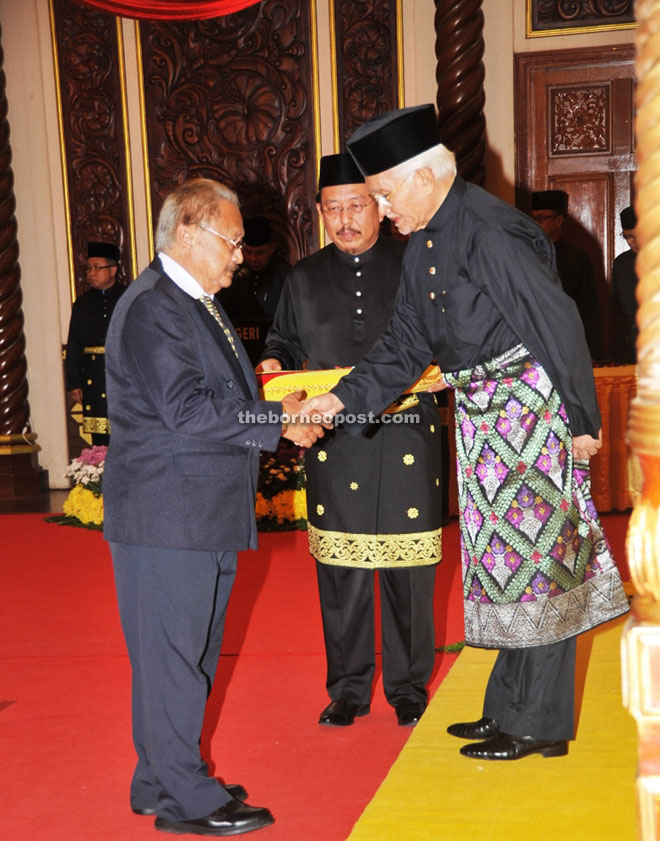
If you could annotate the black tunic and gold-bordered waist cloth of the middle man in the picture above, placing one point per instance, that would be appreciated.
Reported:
(374, 502)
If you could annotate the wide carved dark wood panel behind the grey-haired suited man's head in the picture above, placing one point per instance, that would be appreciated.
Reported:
(231, 99)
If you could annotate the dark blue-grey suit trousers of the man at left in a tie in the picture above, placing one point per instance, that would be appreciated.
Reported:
(172, 605)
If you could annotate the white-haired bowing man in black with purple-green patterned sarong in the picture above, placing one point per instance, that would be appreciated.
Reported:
(481, 296)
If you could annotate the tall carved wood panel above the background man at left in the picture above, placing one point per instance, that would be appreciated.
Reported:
(91, 102)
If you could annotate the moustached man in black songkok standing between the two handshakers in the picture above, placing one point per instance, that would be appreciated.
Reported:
(373, 504)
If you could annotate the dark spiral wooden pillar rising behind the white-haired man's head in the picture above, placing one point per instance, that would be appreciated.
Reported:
(459, 49)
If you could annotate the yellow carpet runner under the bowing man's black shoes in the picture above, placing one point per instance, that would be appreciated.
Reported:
(432, 793)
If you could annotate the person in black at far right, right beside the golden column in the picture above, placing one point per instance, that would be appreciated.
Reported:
(624, 292)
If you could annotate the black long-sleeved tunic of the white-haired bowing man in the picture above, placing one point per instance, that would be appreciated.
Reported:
(479, 279)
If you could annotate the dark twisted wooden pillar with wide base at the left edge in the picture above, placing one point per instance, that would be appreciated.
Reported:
(21, 481)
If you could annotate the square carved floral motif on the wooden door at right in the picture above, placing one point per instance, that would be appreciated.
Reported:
(580, 120)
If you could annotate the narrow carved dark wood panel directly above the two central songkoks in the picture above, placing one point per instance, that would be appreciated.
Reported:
(367, 54)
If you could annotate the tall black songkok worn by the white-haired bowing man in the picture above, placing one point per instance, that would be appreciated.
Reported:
(390, 139)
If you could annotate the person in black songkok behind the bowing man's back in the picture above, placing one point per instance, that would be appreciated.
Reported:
(549, 209)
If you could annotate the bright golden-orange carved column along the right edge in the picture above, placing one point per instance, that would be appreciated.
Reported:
(641, 639)
